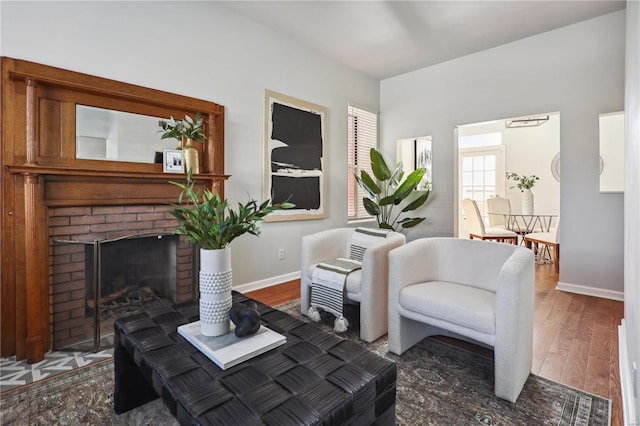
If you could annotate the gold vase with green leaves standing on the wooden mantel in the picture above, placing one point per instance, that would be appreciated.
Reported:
(185, 132)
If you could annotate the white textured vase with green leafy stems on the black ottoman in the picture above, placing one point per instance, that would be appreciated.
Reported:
(209, 222)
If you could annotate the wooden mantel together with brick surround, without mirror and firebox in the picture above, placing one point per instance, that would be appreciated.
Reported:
(50, 193)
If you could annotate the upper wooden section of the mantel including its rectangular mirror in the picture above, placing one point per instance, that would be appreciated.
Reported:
(79, 121)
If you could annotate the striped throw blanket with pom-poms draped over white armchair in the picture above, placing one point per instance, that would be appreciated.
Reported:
(329, 278)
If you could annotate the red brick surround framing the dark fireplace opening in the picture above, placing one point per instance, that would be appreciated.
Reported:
(68, 278)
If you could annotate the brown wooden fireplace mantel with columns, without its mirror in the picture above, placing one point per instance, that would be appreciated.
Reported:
(40, 170)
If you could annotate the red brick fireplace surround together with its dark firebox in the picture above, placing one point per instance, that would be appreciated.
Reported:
(74, 232)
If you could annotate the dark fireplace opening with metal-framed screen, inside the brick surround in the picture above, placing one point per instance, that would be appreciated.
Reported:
(109, 279)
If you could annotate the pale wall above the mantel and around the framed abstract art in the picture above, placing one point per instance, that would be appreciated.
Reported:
(203, 50)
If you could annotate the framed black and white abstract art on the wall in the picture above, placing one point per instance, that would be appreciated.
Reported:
(295, 156)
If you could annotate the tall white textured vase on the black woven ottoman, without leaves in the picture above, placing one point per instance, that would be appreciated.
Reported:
(215, 291)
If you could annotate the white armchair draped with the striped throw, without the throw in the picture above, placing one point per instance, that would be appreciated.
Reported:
(366, 286)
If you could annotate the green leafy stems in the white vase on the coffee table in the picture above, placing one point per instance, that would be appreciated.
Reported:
(209, 222)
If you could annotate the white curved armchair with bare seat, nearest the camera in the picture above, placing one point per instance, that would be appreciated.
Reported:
(468, 289)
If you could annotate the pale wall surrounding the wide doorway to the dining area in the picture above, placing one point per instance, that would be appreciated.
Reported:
(577, 71)
